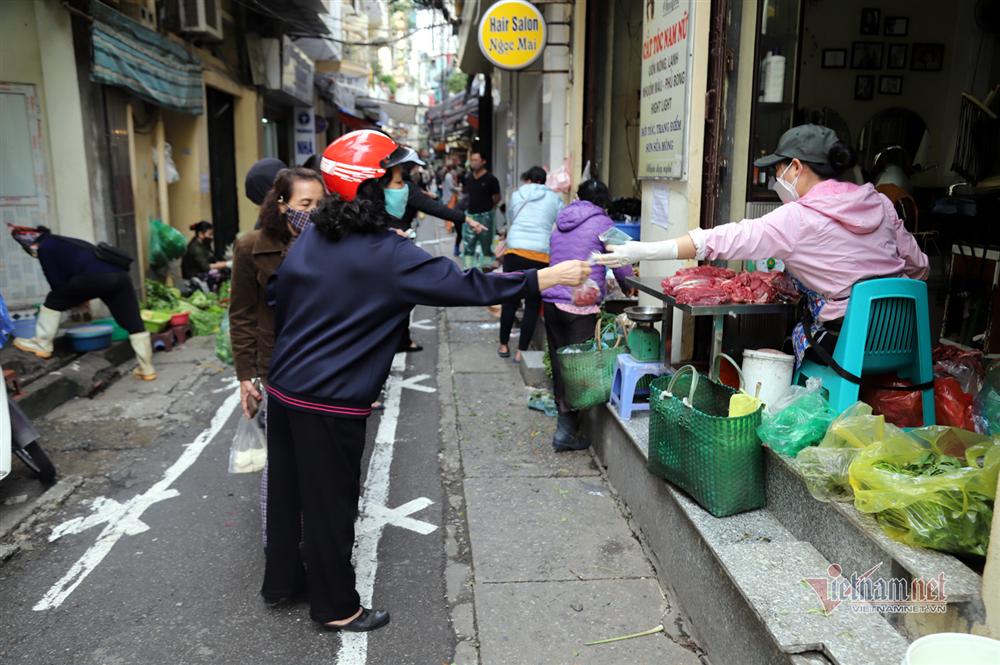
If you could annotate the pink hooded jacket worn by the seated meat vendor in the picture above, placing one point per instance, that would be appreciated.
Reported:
(835, 235)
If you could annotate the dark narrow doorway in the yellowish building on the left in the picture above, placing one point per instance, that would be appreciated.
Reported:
(222, 167)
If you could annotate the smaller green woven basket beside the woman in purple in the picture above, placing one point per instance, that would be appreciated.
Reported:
(588, 370)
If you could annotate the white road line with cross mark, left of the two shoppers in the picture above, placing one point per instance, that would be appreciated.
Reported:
(125, 519)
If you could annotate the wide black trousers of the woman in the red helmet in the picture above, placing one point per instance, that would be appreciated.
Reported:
(314, 480)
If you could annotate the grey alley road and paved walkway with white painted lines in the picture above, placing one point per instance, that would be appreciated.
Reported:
(485, 545)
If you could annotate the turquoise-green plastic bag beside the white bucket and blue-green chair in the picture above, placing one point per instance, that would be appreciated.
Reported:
(797, 423)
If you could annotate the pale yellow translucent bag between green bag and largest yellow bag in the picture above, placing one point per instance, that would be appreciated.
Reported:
(825, 467)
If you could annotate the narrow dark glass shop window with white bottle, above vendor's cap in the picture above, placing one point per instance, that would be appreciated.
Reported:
(776, 55)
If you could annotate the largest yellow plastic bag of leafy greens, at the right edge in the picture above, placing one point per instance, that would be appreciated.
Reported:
(935, 488)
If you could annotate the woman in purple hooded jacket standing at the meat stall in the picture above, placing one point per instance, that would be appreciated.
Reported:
(576, 236)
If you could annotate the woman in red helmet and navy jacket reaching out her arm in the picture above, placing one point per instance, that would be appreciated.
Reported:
(342, 297)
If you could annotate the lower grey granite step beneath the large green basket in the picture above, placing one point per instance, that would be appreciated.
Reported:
(743, 578)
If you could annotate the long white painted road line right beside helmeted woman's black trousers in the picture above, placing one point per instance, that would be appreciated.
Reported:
(354, 646)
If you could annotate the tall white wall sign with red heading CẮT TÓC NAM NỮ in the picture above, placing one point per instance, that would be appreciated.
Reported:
(663, 103)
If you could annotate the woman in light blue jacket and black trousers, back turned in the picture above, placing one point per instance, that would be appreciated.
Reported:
(533, 211)
